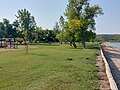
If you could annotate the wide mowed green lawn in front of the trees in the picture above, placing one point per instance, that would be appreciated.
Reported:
(49, 68)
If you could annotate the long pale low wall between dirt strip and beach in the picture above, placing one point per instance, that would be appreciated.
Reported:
(112, 82)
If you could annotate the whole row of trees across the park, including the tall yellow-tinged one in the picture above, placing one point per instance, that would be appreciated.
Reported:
(77, 25)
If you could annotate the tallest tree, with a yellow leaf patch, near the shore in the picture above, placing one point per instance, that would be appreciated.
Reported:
(81, 18)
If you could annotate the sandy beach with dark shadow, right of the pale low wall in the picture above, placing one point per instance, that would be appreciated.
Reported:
(113, 57)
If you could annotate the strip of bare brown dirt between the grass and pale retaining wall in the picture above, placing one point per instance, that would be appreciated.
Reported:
(103, 80)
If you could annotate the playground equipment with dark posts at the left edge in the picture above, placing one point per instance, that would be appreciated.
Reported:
(8, 43)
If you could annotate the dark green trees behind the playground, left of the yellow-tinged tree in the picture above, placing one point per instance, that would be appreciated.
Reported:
(25, 27)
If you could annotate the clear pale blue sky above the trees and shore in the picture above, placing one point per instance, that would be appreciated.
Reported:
(47, 12)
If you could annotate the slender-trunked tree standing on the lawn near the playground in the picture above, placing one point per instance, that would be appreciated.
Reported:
(27, 25)
